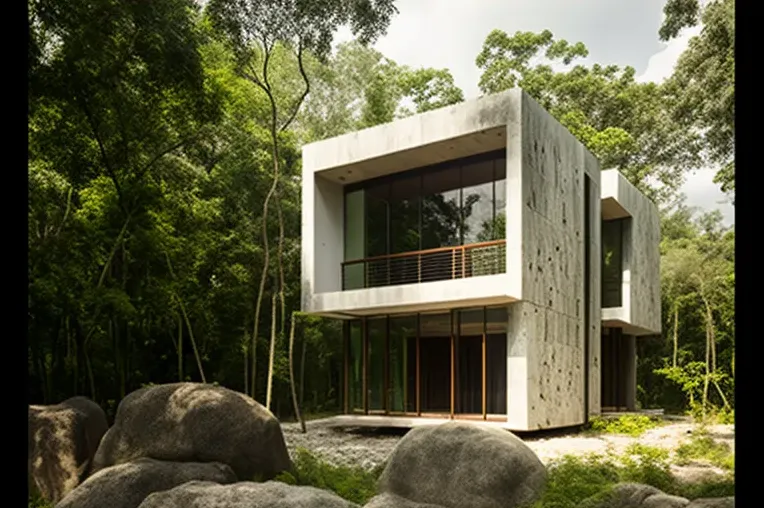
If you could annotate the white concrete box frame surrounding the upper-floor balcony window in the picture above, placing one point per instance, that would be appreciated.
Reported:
(465, 129)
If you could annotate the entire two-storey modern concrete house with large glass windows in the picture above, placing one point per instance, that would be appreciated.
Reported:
(484, 266)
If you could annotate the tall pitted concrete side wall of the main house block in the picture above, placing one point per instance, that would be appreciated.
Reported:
(548, 327)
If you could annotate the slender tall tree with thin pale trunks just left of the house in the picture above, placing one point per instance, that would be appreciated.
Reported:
(255, 29)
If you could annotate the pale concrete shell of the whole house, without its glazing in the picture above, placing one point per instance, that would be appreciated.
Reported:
(556, 196)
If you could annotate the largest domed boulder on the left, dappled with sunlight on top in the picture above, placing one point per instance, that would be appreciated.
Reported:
(196, 422)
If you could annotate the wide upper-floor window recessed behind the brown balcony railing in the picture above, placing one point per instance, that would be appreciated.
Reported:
(408, 221)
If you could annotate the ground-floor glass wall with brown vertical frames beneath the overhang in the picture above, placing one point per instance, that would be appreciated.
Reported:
(445, 363)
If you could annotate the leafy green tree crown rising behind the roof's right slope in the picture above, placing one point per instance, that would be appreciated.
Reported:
(625, 123)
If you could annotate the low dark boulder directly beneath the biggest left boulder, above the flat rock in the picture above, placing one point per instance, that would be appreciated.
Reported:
(127, 485)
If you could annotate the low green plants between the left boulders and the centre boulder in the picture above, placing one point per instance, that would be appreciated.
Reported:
(352, 483)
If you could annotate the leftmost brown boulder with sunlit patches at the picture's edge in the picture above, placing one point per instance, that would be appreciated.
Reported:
(62, 441)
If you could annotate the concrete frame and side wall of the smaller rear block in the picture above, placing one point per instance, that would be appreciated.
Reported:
(641, 275)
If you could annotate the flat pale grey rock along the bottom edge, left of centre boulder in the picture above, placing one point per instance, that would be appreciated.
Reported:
(245, 495)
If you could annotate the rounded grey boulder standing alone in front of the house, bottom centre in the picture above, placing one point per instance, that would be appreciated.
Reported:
(457, 464)
